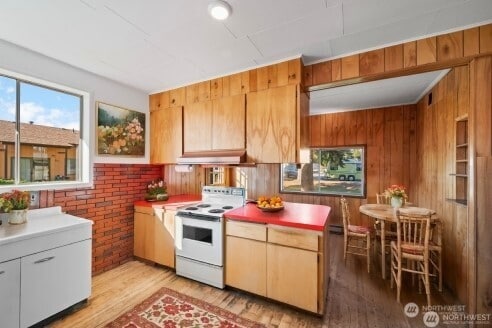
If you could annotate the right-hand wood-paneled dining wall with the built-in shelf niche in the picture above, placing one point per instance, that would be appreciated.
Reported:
(433, 185)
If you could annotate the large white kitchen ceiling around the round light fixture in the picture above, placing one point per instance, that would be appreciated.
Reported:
(155, 45)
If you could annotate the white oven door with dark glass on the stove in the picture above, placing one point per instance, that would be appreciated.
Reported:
(199, 239)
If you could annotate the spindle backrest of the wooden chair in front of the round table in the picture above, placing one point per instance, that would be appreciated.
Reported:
(413, 229)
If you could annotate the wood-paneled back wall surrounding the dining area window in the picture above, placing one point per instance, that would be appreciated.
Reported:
(388, 134)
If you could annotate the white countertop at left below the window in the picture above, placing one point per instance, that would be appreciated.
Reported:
(43, 221)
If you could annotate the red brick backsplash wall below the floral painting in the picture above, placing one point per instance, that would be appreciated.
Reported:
(110, 205)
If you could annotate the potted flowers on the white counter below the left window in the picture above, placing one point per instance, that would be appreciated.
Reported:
(16, 203)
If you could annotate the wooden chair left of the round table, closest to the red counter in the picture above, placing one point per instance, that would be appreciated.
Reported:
(356, 239)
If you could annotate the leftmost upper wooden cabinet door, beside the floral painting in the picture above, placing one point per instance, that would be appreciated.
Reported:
(166, 135)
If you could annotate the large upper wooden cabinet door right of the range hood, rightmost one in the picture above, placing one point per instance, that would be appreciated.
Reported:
(271, 128)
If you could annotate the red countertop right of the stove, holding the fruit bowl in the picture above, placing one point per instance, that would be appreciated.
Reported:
(297, 215)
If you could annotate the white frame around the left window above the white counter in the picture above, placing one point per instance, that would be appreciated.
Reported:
(84, 154)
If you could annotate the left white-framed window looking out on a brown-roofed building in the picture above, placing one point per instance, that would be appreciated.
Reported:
(41, 139)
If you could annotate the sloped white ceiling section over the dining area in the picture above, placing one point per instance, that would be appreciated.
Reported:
(376, 94)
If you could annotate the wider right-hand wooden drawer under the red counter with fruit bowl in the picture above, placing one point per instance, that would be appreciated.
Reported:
(293, 237)
